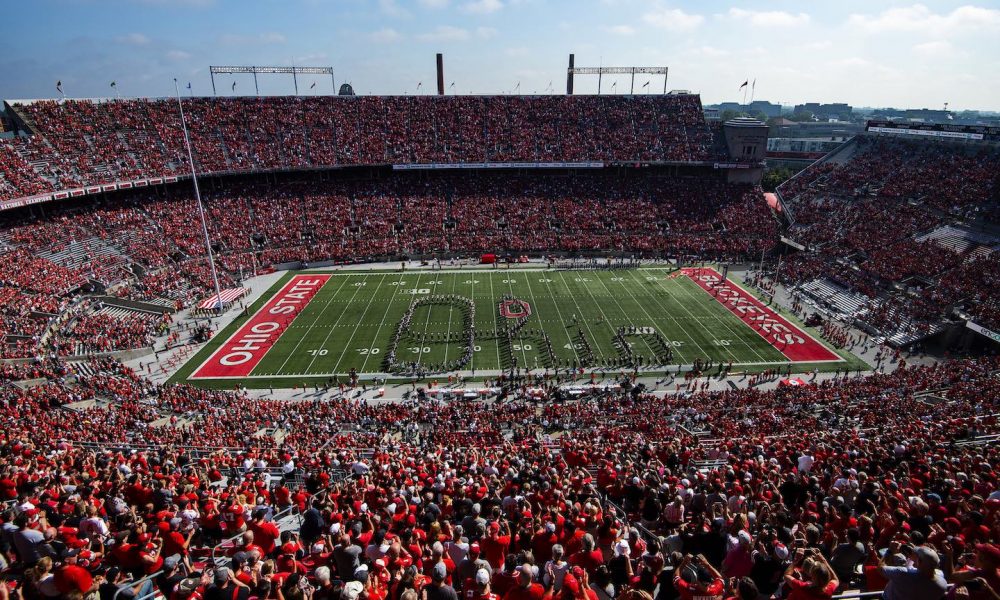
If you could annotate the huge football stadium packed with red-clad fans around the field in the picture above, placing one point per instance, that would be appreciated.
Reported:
(503, 346)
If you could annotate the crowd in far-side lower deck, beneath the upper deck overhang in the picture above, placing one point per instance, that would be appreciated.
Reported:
(145, 246)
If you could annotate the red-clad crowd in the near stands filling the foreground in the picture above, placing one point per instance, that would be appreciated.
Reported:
(625, 494)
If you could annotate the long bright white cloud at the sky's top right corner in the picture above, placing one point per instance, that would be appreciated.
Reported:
(918, 18)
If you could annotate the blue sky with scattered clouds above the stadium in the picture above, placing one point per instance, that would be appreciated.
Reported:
(865, 53)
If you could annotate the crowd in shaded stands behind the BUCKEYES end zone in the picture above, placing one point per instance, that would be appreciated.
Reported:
(860, 215)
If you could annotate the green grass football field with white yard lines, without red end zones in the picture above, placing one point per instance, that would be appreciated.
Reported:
(594, 319)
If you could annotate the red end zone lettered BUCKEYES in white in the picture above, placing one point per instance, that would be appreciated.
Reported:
(795, 344)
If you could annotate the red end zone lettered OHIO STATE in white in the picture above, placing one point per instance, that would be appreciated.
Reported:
(243, 351)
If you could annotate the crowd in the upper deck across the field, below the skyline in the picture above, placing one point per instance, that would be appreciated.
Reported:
(83, 142)
